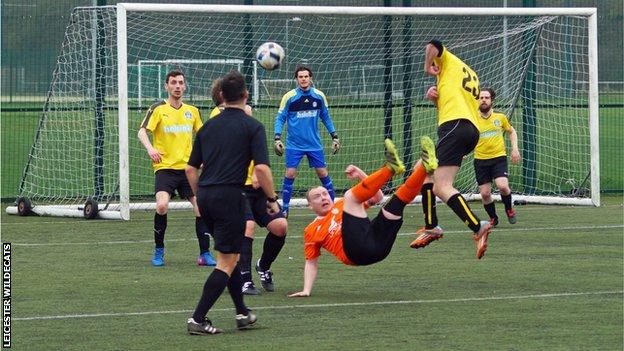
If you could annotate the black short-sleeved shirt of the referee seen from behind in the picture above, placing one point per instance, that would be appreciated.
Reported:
(225, 145)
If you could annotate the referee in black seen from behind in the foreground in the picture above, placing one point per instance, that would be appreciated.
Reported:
(223, 148)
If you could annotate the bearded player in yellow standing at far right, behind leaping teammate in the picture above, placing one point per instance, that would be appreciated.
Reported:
(490, 161)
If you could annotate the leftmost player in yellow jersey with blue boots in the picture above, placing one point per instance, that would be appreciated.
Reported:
(172, 124)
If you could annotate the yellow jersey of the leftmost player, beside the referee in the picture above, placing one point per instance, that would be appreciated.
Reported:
(172, 130)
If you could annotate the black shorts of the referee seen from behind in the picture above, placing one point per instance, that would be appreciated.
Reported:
(223, 209)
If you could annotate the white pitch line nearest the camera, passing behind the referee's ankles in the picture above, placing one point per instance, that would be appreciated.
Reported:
(325, 305)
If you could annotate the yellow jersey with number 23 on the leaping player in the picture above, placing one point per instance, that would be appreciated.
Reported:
(458, 89)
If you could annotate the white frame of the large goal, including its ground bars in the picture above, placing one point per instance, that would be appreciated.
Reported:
(122, 210)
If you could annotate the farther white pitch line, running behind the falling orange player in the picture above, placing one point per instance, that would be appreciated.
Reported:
(497, 230)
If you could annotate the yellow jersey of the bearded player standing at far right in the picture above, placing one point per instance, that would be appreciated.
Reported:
(491, 139)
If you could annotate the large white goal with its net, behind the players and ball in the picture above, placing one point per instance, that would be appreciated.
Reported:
(367, 61)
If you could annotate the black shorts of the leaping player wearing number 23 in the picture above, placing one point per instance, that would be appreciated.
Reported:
(456, 139)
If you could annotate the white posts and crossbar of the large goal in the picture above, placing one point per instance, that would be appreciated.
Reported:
(591, 13)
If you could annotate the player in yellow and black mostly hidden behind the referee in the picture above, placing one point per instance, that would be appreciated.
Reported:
(256, 212)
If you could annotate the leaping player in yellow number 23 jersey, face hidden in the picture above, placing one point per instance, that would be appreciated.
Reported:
(458, 134)
